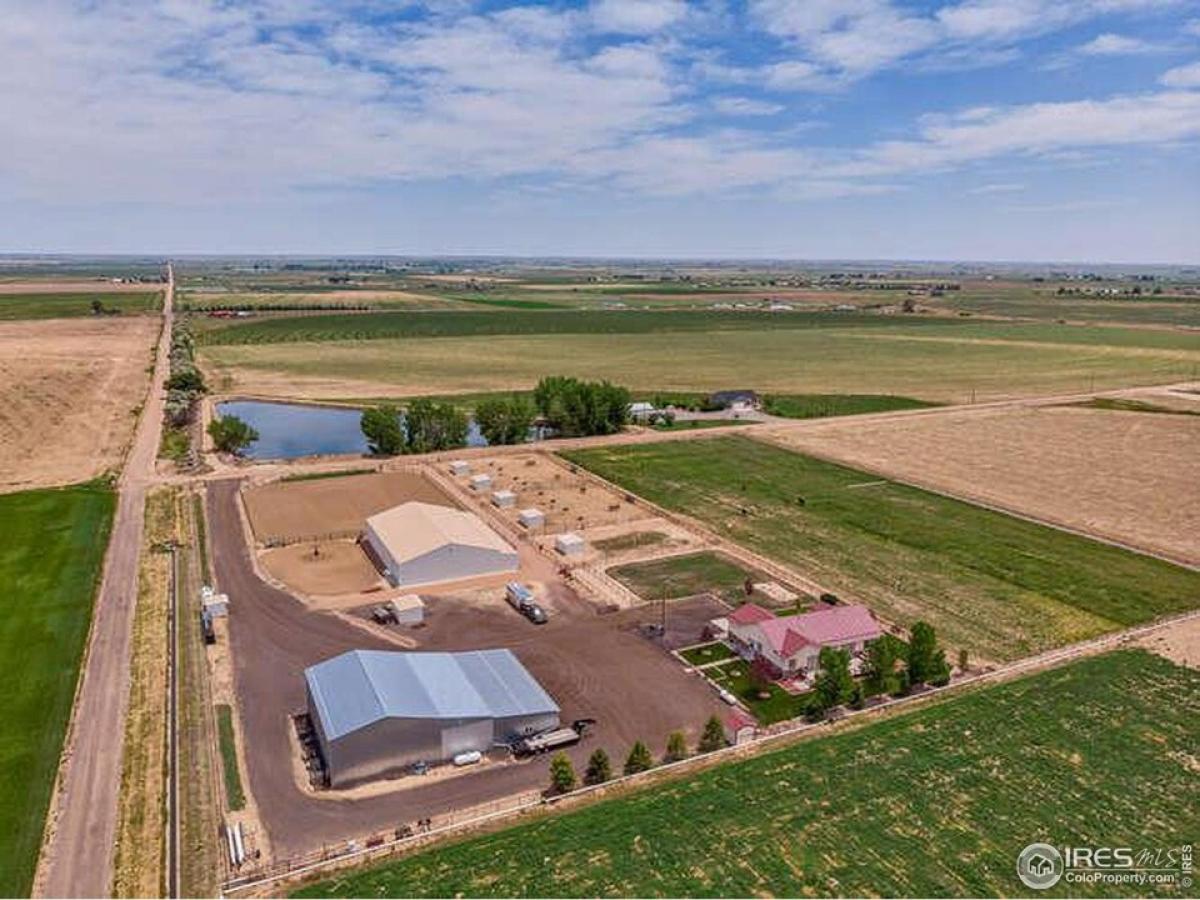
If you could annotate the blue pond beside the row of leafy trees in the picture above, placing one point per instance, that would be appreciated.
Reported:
(287, 431)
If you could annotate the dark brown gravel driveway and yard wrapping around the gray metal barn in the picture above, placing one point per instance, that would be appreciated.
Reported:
(592, 665)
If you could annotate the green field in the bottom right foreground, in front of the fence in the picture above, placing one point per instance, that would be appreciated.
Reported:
(938, 802)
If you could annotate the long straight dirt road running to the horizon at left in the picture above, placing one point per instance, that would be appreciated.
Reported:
(77, 856)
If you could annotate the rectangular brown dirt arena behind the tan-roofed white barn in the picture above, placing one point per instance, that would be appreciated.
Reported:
(290, 512)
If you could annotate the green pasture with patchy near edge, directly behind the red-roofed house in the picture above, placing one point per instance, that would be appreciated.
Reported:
(999, 586)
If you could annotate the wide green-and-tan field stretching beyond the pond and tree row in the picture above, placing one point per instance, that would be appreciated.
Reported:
(935, 361)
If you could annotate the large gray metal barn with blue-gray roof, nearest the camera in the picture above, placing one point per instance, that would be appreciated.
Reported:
(377, 712)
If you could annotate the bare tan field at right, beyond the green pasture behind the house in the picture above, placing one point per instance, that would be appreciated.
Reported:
(1125, 476)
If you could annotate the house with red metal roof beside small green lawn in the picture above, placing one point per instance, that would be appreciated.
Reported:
(793, 644)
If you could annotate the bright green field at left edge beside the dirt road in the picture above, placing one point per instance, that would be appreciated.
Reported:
(50, 566)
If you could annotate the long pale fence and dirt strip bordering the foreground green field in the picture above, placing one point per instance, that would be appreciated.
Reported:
(385, 845)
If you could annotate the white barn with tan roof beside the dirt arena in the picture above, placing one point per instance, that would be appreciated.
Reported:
(422, 544)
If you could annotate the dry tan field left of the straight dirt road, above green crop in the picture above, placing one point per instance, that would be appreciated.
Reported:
(69, 392)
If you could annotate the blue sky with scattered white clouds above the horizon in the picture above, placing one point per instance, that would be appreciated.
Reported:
(1040, 130)
